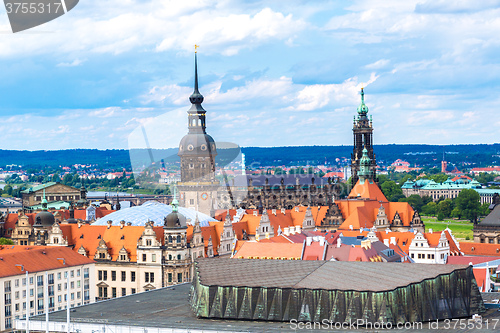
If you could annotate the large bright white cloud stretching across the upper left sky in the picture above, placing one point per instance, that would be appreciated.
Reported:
(123, 26)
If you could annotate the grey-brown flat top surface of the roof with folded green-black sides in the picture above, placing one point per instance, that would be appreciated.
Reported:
(315, 274)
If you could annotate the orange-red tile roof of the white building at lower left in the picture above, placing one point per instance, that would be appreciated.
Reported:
(37, 259)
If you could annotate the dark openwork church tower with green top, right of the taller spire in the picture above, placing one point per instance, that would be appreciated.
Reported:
(363, 138)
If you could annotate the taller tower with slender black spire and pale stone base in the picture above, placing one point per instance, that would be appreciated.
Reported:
(197, 151)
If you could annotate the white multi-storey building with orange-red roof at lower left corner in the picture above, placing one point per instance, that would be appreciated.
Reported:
(42, 277)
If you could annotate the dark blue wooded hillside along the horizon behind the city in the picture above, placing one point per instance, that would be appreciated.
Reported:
(424, 155)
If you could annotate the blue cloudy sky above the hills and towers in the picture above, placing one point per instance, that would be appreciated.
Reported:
(273, 73)
